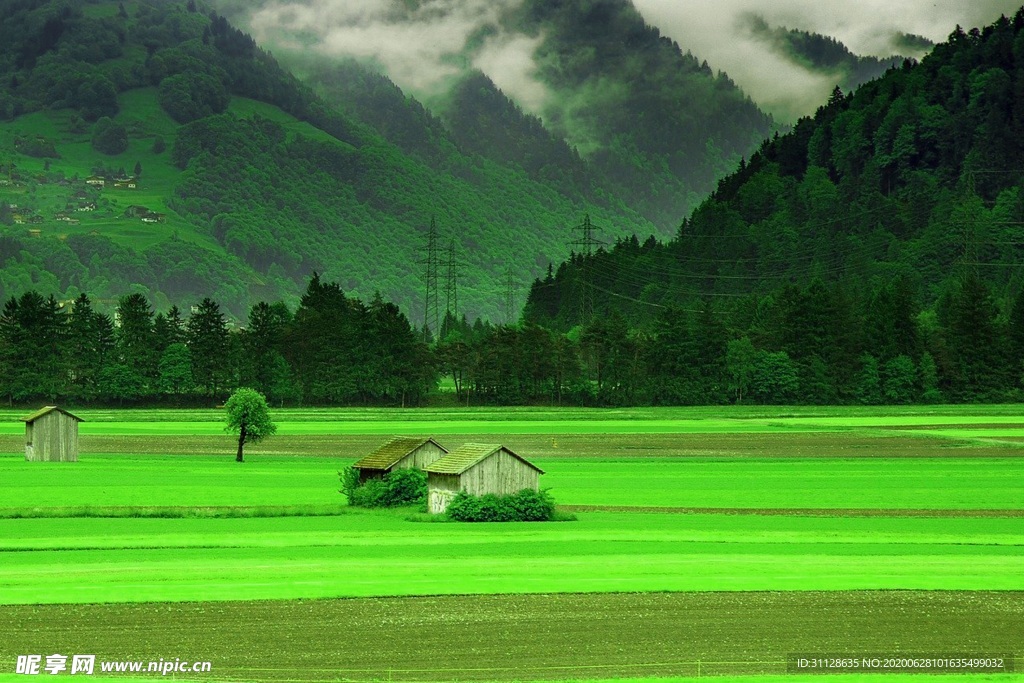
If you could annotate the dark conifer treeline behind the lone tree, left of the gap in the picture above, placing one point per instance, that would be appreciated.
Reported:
(331, 351)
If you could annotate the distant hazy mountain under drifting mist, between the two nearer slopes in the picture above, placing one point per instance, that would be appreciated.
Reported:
(615, 106)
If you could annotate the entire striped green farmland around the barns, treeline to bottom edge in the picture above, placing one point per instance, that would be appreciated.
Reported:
(709, 542)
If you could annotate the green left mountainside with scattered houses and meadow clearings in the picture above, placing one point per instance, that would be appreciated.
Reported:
(247, 181)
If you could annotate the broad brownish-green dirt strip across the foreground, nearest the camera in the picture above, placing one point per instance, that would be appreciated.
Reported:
(524, 637)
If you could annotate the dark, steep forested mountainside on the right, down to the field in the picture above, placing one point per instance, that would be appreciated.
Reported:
(879, 242)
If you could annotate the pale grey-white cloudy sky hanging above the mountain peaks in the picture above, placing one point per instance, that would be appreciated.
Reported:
(423, 53)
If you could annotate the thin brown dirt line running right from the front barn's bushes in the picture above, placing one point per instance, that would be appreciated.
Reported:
(799, 513)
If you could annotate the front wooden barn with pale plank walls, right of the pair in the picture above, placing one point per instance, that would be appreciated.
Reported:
(479, 469)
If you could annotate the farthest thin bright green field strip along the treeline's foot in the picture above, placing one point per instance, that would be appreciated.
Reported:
(569, 420)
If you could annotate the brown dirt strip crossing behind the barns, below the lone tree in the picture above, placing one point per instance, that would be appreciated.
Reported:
(798, 445)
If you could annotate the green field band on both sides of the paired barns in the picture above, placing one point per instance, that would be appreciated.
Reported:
(888, 484)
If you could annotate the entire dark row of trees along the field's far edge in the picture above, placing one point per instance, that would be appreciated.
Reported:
(813, 345)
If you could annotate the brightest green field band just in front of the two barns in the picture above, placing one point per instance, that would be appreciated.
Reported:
(381, 553)
